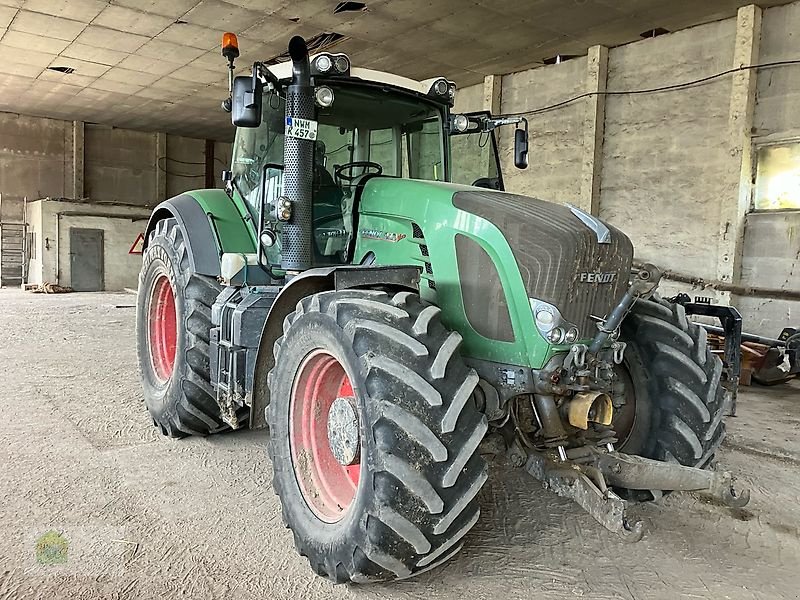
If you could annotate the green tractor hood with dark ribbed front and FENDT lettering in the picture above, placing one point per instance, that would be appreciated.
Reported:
(498, 255)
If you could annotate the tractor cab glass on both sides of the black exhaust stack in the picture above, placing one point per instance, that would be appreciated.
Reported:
(367, 130)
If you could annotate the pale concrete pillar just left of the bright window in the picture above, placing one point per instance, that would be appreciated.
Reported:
(738, 185)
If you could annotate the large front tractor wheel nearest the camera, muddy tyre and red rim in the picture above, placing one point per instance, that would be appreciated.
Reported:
(374, 435)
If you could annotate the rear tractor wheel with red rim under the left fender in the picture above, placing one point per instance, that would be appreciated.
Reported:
(173, 320)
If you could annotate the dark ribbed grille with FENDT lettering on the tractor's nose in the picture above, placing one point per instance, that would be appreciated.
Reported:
(552, 248)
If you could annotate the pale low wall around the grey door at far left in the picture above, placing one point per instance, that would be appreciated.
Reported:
(50, 222)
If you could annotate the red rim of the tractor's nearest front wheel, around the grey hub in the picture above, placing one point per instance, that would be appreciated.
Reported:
(328, 487)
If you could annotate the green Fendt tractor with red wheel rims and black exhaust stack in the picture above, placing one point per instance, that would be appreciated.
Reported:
(365, 289)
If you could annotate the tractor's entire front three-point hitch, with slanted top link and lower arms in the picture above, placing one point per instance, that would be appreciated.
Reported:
(589, 474)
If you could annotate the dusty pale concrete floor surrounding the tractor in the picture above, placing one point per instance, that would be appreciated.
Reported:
(147, 516)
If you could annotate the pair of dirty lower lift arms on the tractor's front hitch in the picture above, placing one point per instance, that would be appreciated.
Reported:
(589, 474)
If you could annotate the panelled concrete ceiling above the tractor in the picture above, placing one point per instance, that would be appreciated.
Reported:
(156, 65)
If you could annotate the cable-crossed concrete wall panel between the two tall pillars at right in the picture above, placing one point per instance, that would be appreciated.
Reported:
(665, 155)
